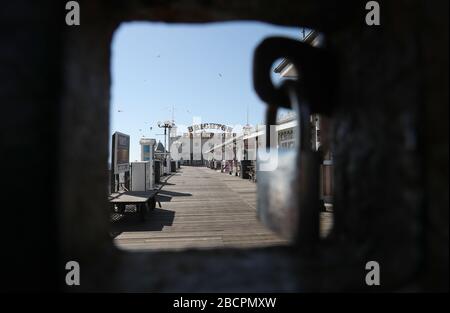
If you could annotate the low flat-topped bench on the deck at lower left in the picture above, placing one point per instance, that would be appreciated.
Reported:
(143, 200)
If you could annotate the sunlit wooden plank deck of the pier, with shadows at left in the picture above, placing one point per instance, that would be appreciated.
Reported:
(201, 208)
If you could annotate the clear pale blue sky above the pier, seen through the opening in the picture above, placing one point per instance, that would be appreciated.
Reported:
(199, 70)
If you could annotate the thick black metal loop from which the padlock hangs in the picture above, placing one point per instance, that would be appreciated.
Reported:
(317, 67)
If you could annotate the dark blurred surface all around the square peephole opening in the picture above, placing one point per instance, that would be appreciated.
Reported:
(390, 138)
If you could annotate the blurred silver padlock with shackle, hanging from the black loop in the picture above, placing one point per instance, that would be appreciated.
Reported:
(288, 180)
